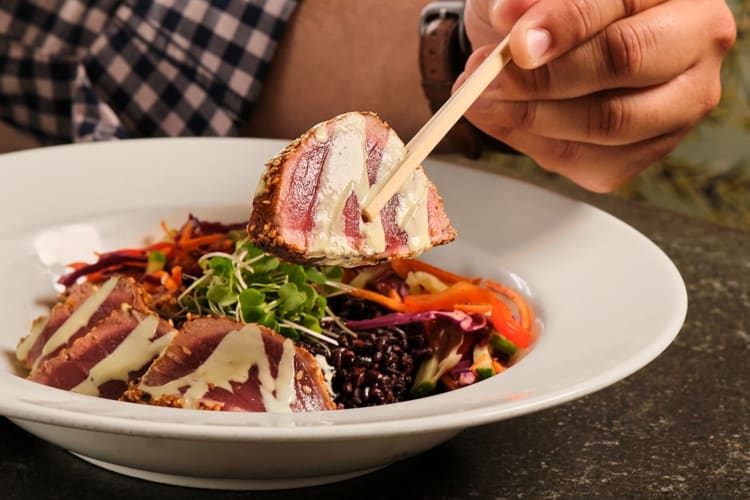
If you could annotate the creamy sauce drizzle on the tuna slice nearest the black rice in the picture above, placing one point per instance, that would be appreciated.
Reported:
(231, 361)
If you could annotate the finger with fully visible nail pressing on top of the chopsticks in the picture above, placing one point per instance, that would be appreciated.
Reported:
(550, 28)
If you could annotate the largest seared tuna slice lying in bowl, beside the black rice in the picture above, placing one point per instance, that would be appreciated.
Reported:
(221, 364)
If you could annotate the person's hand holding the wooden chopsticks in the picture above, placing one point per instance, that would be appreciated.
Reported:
(598, 89)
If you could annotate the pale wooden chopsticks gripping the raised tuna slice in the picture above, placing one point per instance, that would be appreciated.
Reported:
(438, 126)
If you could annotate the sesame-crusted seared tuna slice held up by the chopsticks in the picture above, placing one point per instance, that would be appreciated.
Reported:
(307, 206)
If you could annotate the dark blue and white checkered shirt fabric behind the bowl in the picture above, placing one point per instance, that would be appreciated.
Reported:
(77, 70)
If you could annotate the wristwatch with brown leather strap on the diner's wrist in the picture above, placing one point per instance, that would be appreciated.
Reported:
(443, 51)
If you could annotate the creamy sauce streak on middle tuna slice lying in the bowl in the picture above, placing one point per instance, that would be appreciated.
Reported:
(134, 351)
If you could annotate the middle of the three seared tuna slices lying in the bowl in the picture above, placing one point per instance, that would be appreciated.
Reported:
(116, 351)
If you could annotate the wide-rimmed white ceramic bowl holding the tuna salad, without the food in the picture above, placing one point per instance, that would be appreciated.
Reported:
(609, 301)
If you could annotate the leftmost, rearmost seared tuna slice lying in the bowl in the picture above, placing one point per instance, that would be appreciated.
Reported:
(80, 309)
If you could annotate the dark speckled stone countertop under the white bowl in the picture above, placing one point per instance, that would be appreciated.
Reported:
(680, 427)
